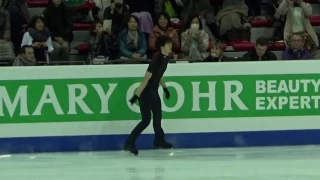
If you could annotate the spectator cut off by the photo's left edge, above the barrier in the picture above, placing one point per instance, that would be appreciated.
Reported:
(6, 46)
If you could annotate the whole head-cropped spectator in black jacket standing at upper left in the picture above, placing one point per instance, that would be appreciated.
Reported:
(58, 19)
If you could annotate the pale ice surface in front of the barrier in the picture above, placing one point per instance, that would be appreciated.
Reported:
(260, 163)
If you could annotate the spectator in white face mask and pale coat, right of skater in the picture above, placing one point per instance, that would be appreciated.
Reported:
(195, 41)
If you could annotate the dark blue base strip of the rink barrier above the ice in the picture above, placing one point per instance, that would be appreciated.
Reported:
(180, 140)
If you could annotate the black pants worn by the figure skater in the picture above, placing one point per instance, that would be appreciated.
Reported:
(149, 102)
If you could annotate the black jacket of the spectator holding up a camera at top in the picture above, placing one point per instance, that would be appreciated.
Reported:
(118, 20)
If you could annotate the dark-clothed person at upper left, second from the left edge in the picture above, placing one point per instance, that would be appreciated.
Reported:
(19, 19)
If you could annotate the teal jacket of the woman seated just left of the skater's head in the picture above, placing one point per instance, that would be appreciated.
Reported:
(123, 48)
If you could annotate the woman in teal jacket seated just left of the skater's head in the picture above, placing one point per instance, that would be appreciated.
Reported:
(132, 42)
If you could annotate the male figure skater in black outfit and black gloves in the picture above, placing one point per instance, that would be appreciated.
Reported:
(149, 98)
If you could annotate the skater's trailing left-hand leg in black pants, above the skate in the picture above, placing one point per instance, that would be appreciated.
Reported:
(143, 124)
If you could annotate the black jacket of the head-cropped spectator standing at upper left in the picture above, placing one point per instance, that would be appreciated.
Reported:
(59, 21)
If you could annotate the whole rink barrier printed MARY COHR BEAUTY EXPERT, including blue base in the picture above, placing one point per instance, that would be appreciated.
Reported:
(243, 94)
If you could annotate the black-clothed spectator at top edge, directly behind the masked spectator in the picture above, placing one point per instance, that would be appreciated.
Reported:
(192, 8)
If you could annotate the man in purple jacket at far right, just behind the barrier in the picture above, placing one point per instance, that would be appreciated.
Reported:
(296, 50)
